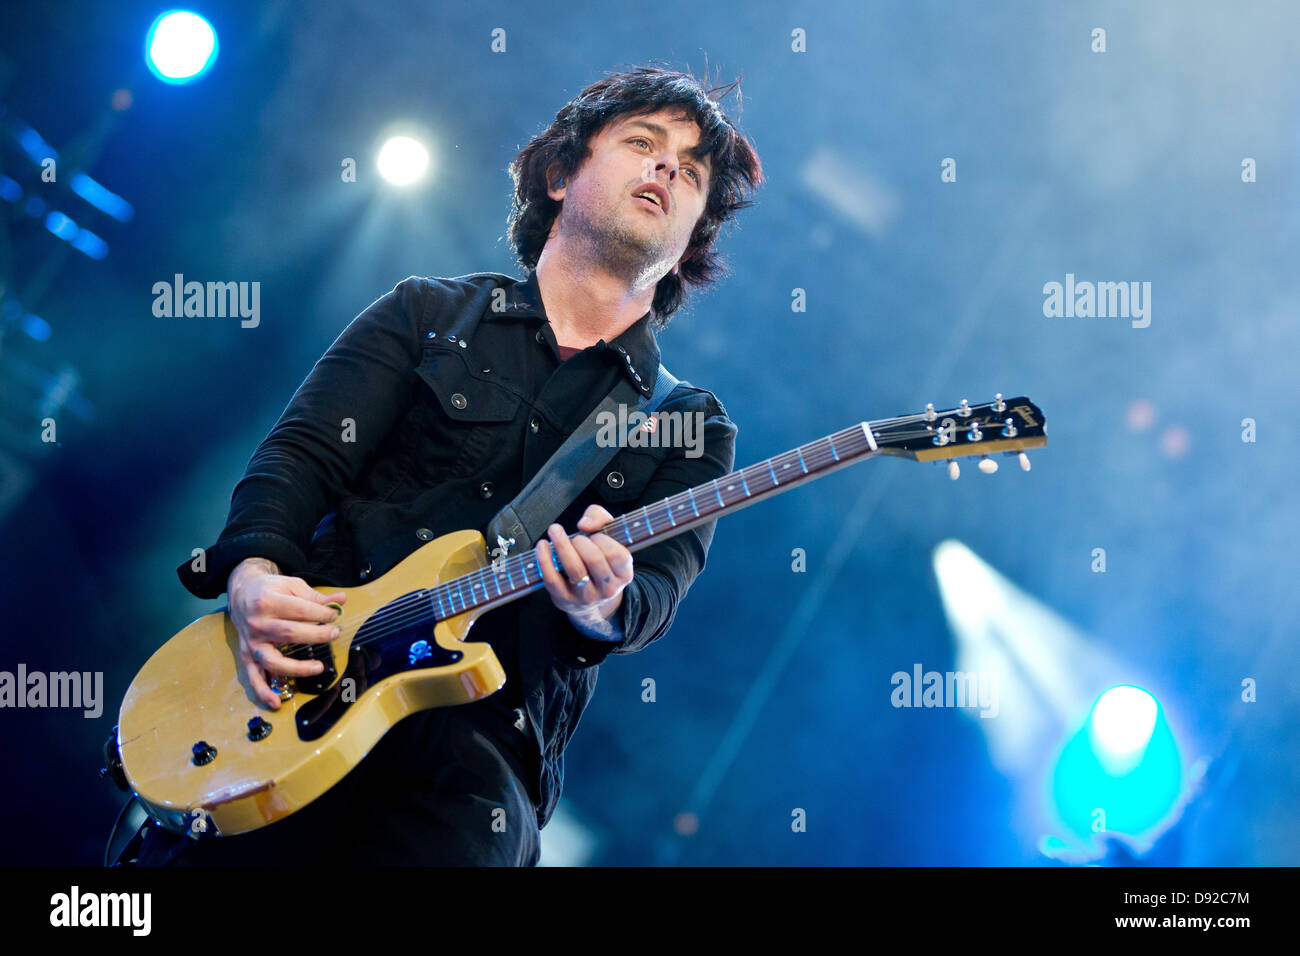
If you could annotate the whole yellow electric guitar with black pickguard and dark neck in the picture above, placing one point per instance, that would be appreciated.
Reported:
(203, 755)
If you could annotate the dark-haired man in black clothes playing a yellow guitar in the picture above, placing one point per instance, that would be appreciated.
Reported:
(400, 436)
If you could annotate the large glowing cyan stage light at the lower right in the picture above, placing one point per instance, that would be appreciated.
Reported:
(1121, 772)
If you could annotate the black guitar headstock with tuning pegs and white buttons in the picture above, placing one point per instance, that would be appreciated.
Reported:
(1007, 427)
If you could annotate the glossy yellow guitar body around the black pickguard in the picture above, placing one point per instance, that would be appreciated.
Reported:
(194, 689)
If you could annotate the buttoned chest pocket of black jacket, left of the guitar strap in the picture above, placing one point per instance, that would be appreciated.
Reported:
(469, 416)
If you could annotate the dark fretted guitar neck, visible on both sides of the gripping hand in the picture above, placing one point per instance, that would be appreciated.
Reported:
(515, 577)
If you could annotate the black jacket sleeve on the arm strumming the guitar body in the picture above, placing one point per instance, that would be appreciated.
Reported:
(332, 427)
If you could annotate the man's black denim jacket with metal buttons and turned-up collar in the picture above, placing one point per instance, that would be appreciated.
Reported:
(398, 436)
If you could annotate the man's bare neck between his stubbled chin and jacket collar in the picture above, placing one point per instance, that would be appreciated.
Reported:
(586, 304)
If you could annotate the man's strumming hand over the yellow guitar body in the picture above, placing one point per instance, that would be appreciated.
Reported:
(270, 609)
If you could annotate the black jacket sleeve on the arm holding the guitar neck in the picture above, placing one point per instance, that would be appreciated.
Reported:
(664, 573)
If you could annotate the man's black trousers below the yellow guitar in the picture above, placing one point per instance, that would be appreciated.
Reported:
(441, 789)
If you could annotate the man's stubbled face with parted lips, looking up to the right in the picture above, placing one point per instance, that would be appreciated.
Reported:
(601, 205)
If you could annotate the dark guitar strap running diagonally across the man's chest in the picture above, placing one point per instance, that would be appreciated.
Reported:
(570, 470)
